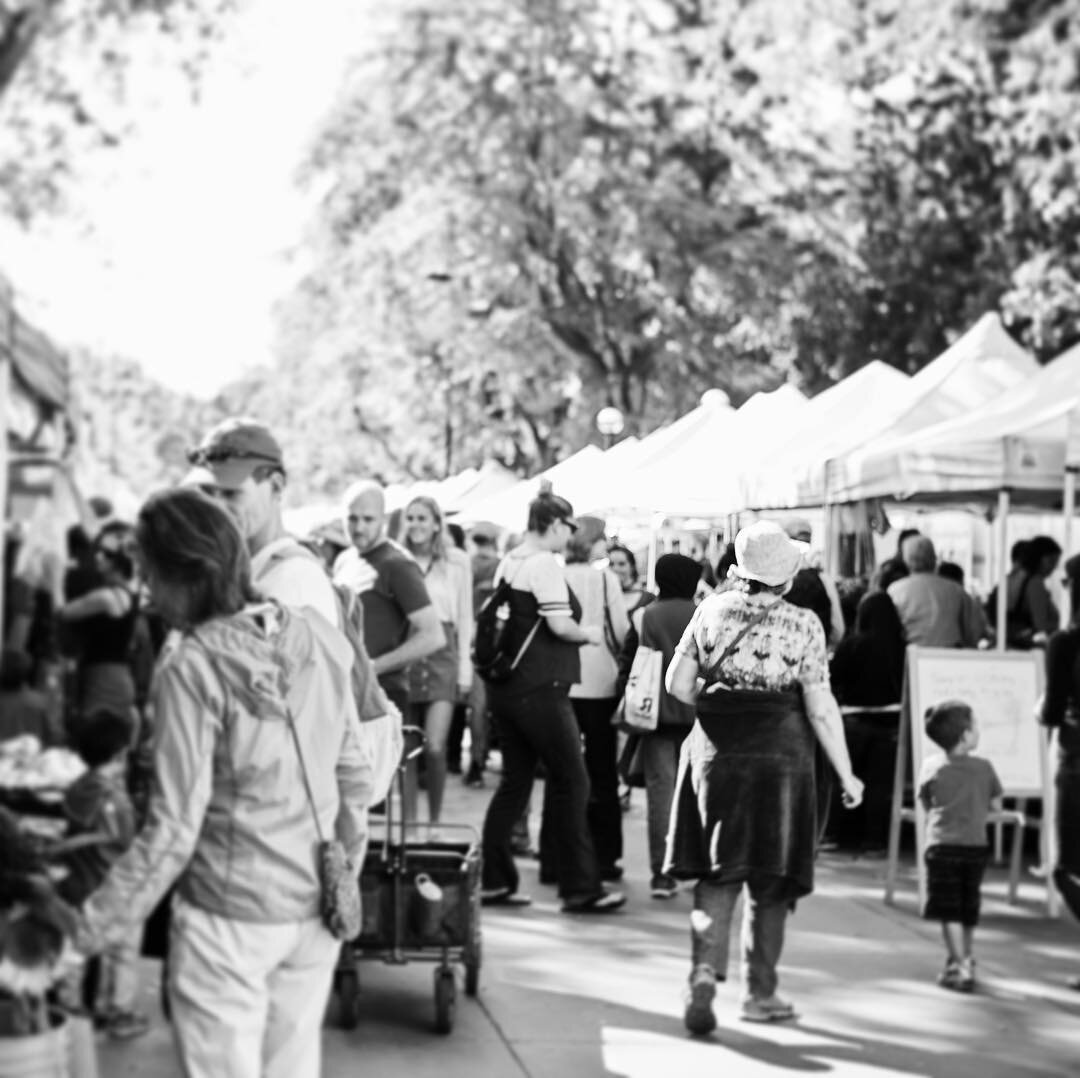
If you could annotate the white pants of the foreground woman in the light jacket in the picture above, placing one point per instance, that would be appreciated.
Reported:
(249, 999)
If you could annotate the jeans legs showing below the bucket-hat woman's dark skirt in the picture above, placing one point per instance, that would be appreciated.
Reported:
(765, 915)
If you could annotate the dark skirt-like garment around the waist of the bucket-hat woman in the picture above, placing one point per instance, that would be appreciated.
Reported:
(746, 794)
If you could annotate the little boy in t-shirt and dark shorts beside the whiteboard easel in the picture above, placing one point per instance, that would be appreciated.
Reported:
(958, 792)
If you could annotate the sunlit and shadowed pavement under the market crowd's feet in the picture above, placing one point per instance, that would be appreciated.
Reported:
(577, 996)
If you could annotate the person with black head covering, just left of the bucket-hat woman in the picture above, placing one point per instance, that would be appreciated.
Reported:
(661, 626)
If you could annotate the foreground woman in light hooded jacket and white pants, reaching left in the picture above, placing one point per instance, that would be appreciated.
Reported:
(251, 962)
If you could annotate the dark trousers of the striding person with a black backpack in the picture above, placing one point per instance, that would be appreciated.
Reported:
(541, 727)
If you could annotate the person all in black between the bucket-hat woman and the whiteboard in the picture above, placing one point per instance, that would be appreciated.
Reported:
(868, 676)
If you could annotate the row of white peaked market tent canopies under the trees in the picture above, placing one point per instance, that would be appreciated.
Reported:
(980, 420)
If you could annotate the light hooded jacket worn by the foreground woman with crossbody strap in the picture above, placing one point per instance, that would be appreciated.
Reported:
(229, 817)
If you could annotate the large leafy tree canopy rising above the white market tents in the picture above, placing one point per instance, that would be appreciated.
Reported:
(528, 211)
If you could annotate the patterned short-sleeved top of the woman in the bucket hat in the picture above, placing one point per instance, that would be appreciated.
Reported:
(786, 650)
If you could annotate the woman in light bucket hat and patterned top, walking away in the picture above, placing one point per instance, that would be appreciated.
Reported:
(746, 807)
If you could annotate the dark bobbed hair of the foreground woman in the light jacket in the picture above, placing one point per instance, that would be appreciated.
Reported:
(194, 545)
